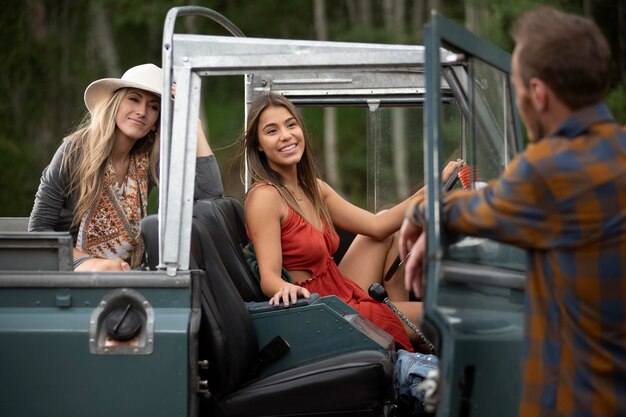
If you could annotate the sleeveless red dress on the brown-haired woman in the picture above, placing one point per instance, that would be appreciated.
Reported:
(306, 248)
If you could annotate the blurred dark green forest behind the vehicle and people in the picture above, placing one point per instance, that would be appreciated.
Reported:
(54, 48)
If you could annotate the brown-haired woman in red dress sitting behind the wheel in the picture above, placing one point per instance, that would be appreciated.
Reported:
(291, 215)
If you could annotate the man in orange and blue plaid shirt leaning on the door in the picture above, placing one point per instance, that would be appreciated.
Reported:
(564, 200)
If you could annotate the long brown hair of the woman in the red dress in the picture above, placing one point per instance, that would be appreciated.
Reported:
(258, 165)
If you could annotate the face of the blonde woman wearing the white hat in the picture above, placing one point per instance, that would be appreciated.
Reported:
(138, 113)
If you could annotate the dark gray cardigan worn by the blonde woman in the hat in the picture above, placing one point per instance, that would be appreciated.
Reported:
(54, 207)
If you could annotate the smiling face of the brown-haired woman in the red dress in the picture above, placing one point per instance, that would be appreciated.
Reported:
(281, 138)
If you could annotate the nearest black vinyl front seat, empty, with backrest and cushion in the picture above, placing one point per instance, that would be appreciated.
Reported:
(351, 384)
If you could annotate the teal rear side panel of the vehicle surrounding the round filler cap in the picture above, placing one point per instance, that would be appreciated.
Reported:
(48, 368)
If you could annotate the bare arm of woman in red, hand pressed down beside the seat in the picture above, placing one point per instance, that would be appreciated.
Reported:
(265, 210)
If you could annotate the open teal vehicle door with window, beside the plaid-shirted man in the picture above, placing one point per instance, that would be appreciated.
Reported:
(474, 286)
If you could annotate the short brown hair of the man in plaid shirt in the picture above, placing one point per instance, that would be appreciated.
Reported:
(567, 52)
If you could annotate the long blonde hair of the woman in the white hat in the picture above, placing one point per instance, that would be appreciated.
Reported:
(88, 149)
